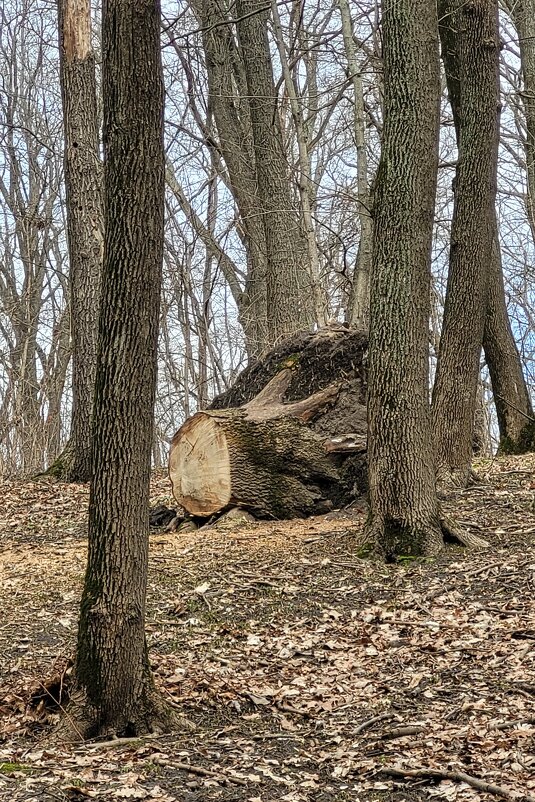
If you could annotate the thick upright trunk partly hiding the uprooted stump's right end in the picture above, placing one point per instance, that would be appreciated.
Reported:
(404, 514)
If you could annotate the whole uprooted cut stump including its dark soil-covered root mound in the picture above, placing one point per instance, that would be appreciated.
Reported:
(276, 455)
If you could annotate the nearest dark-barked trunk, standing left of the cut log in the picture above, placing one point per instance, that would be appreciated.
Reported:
(111, 669)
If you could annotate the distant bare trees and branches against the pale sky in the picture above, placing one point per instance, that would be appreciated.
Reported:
(328, 80)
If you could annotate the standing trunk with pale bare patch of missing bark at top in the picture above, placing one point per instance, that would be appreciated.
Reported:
(84, 222)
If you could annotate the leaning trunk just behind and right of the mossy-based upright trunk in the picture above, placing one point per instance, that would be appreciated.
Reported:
(470, 48)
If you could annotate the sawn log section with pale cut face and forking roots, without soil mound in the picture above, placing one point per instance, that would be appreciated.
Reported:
(261, 457)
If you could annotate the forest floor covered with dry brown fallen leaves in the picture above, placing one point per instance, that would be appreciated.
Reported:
(311, 673)
